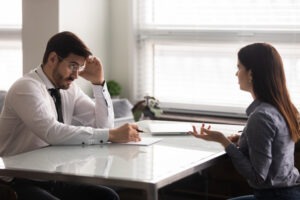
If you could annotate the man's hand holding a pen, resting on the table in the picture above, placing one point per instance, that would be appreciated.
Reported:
(125, 133)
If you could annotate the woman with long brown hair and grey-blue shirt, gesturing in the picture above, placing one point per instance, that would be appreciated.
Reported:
(264, 153)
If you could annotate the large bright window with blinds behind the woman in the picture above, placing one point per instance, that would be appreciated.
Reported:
(186, 50)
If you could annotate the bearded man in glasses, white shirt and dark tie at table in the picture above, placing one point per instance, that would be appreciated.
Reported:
(46, 107)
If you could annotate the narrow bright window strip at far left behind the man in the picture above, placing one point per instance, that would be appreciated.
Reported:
(10, 42)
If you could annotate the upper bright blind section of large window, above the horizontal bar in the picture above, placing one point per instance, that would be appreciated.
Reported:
(273, 14)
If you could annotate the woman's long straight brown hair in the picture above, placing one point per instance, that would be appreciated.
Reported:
(269, 82)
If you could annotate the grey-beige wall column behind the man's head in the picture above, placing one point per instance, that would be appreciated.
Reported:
(40, 22)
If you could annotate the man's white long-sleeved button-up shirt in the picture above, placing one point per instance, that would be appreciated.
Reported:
(29, 119)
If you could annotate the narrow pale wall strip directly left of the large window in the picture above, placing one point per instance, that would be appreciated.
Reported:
(122, 45)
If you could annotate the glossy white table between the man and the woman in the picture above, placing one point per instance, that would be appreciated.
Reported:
(141, 167)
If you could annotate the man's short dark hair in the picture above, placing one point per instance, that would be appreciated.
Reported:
(65, 43)
